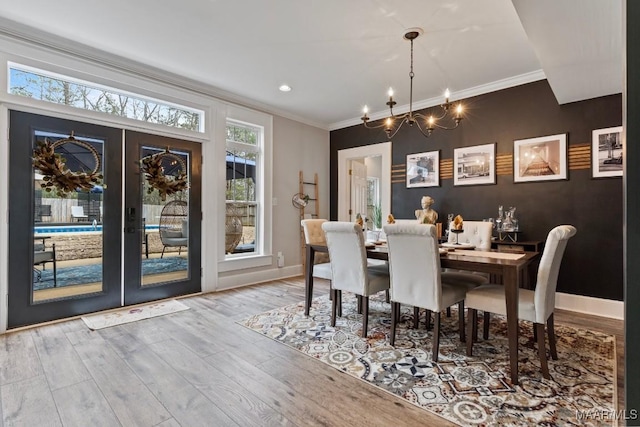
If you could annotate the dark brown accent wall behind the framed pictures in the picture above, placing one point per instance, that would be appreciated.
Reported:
(592, 265)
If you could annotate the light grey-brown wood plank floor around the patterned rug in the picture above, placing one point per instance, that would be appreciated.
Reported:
(198, 368)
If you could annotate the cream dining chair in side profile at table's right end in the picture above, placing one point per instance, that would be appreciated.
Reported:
(534, 306)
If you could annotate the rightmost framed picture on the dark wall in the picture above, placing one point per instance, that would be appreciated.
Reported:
(606, 152)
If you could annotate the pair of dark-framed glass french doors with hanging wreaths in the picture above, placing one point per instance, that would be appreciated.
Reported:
(82, 239)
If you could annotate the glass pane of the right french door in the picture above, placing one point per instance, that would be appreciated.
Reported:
(164, 228)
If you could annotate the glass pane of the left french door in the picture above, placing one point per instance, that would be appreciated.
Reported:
(68, 212)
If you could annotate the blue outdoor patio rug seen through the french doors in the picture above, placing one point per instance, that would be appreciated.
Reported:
(92, 273)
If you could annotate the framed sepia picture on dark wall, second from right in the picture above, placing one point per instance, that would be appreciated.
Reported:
(540, 159)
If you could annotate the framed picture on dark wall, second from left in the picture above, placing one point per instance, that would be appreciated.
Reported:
(474, 165)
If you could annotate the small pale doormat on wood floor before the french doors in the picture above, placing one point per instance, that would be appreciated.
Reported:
(133, 314)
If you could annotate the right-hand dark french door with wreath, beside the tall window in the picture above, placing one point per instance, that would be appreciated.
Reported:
(162, 217)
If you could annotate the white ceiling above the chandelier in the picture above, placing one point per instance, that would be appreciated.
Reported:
(341, 55)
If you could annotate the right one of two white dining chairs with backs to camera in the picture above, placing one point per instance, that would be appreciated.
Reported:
(416, 277)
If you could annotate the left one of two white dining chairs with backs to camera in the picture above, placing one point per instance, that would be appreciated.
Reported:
(349, 268)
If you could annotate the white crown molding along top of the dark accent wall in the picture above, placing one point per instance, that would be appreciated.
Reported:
(462, 94)
